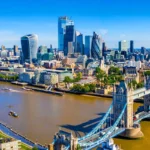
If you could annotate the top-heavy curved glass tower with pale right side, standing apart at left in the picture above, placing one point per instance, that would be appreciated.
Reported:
(29, 45)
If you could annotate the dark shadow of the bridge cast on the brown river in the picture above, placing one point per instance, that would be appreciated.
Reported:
(84, 127)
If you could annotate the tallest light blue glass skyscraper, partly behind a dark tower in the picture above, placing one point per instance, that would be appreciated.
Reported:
(62, 23)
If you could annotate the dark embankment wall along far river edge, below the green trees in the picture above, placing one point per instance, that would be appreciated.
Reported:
(79, 93)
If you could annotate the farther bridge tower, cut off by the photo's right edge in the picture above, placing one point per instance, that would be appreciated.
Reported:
(147, 97)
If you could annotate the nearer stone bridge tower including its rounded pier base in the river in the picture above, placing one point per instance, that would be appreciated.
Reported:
(123, 95)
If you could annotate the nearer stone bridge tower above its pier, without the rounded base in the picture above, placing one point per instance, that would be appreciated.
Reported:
(123, 95)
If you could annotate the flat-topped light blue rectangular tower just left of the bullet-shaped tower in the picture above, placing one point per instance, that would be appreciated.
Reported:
(88, 46)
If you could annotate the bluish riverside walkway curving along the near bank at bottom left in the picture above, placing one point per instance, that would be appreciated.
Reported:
(8, 131)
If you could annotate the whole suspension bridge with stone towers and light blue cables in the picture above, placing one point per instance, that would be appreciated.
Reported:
(118, 120)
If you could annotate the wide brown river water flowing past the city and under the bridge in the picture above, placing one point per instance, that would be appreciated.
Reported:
(41, 115)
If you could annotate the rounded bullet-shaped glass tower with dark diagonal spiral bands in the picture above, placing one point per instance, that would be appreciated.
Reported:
(96, 50)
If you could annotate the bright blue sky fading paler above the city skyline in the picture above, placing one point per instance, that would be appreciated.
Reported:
(114, 20)
